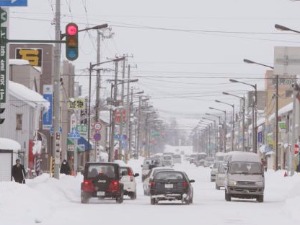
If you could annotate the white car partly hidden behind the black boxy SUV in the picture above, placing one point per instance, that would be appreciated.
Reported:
(128, 180)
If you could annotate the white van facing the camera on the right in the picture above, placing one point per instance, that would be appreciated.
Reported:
(244, 176)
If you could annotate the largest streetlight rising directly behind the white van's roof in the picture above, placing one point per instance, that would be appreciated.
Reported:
(254, 113)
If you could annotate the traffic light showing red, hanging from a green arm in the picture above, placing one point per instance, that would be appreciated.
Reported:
(71, 41)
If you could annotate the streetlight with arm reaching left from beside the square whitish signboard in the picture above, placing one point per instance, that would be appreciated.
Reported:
(276, 106)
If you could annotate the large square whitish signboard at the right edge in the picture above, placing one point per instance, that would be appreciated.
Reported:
(286, 60)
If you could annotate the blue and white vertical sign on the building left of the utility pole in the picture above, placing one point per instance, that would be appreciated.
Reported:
(47, 117)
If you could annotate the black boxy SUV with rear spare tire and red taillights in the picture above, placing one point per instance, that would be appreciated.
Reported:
(102, 180)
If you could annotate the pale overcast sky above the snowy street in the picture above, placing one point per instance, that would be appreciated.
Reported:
(185, 51)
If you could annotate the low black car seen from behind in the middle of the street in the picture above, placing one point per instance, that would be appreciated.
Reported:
(171, 185)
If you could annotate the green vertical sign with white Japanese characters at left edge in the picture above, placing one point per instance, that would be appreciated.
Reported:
(3, 54)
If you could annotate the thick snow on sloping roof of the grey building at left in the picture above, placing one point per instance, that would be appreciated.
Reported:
(31, 97)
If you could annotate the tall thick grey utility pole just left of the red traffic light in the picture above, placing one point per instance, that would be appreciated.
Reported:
(56, 95)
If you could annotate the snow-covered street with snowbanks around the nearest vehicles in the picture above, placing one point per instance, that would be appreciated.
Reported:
(48, 201)
